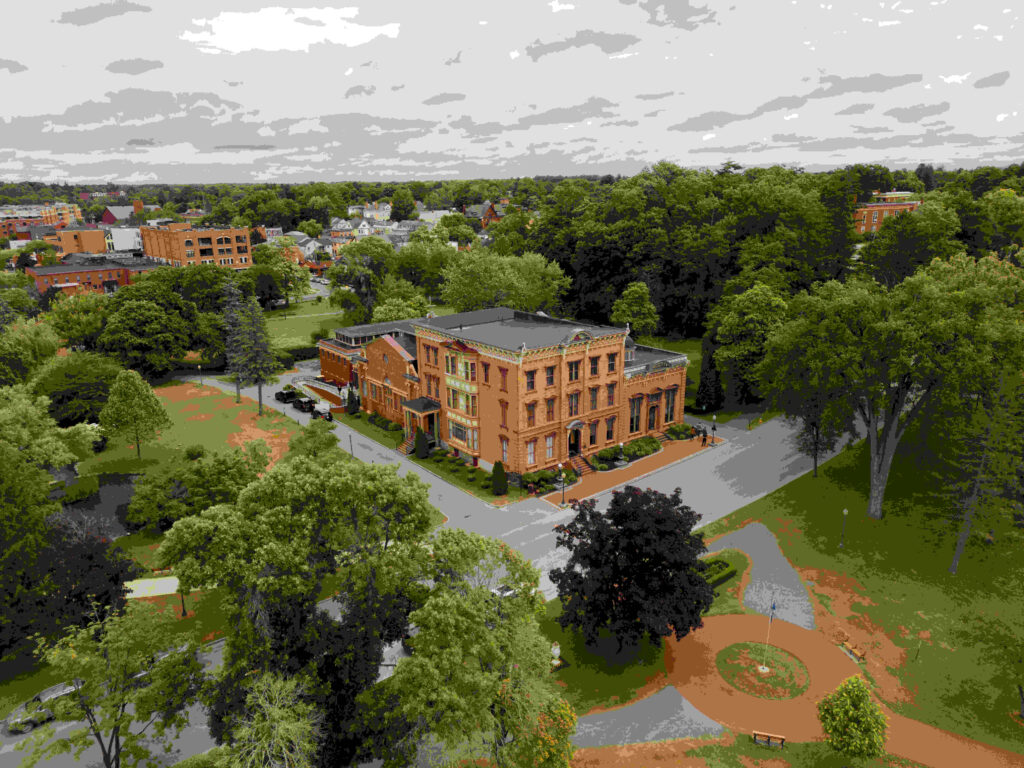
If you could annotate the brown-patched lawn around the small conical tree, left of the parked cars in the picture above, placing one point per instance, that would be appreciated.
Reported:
(211, 430)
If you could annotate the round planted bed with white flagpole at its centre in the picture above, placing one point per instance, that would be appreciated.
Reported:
(739, 665)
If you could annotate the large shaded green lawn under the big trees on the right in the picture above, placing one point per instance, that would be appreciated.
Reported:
(964, 679)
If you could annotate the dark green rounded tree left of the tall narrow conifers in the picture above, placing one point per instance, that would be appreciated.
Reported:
(143, 336)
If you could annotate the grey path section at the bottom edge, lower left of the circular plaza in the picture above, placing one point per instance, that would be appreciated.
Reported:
(664, 716)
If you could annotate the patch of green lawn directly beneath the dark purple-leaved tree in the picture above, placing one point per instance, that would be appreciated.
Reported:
(591, 679)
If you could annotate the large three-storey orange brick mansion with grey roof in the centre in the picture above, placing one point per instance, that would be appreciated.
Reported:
(530, 391)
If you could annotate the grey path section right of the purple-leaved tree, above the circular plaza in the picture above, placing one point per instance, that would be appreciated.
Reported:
(772, 576)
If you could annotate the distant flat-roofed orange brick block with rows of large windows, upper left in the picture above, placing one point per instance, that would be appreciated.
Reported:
(180, 245)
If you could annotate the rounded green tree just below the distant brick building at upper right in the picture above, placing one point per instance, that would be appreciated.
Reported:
(910, 241)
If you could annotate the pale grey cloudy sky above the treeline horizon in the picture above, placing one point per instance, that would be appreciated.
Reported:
(249, 91)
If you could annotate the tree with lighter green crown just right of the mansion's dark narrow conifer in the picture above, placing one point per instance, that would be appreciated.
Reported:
(743, 323)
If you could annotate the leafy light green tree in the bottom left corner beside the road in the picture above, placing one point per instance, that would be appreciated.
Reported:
(124, 690)
